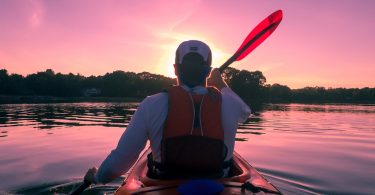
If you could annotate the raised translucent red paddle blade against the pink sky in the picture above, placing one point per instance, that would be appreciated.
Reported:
(259, 34)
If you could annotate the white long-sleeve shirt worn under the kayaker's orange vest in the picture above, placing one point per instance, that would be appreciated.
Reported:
(147, 124)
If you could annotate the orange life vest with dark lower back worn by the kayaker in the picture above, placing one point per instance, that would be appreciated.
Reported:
(193, 136)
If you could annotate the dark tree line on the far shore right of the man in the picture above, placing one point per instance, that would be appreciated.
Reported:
(252, 86)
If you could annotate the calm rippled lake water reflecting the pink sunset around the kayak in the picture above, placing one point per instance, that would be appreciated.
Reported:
(300, 148)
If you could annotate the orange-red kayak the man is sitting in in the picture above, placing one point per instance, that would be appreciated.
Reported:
(243, 179)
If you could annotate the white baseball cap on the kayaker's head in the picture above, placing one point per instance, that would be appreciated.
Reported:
(193, 46)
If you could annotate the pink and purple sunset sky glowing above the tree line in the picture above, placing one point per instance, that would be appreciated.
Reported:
(319, 43)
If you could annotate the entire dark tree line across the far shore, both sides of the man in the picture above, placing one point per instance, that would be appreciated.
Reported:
(251, 86)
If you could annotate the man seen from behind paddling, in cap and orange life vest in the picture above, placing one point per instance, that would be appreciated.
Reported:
(191, 127)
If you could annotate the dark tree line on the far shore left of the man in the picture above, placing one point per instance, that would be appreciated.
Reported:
(115, 84)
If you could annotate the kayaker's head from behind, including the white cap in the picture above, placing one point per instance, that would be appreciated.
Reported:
(193, 62)
